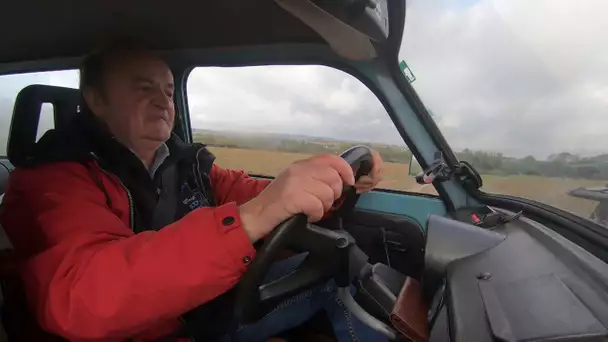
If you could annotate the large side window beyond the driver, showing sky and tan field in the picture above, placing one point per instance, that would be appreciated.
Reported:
(262, 118)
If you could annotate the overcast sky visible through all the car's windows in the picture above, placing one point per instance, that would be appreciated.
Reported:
(514, 76)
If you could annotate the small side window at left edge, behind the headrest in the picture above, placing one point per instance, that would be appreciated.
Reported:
(10, 85)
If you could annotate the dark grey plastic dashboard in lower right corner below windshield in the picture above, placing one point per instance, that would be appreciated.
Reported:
(530, 251)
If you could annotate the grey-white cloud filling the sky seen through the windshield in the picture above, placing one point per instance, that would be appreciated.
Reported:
(515, 76)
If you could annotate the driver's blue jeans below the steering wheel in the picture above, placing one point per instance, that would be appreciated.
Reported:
(298, 309)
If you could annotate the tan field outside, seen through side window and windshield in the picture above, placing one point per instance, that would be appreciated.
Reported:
(552, 191)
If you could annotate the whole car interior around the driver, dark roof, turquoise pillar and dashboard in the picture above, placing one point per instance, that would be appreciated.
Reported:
(460, 266)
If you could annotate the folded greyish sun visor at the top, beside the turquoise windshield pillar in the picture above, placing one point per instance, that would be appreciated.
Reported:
(342, 38)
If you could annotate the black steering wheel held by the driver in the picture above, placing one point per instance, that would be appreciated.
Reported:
(330, 254)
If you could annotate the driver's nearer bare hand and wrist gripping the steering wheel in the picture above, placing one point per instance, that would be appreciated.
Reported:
(308, 186)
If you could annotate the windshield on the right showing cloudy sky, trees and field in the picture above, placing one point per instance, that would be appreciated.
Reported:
(519, 88)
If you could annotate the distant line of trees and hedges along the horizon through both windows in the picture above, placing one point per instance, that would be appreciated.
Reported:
(563, 165)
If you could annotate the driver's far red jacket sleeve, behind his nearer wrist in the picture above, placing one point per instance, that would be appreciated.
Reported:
(234, 186)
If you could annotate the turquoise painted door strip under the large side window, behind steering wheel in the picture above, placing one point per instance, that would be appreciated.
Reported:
(415, 207)
